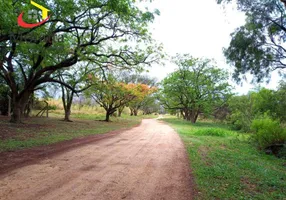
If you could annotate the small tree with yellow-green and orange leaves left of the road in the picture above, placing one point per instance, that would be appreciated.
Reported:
(111, 95)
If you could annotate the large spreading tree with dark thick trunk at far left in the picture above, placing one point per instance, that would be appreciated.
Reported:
(100, 32)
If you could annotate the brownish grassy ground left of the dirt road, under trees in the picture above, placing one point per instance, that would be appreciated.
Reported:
(44, 131)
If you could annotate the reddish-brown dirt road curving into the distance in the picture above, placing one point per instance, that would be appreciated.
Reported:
(146, 162)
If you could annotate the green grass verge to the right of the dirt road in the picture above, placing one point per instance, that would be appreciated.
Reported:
(226, 166)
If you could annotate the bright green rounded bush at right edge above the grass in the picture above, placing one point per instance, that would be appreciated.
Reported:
(268, 133)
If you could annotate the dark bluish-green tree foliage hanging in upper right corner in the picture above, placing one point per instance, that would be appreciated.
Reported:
(258, 46)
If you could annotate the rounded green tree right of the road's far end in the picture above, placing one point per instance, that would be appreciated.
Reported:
(197, 87)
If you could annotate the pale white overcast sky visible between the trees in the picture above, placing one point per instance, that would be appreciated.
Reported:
(198, 27)
